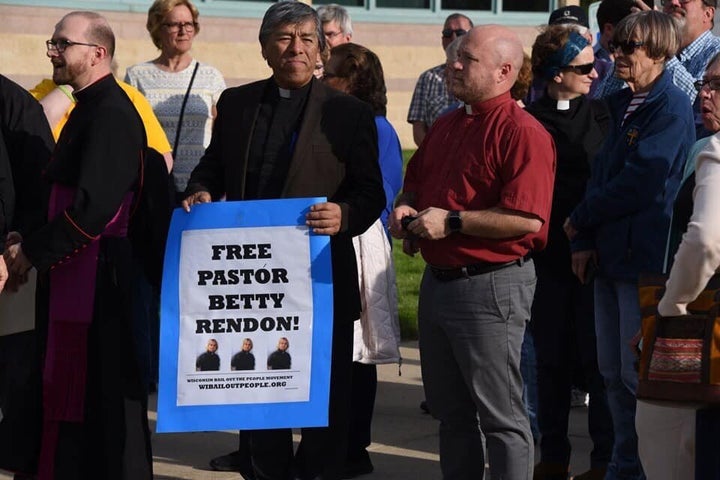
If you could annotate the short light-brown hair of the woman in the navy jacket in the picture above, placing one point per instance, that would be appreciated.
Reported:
(658, 31)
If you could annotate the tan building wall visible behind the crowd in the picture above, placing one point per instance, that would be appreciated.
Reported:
(231, 45)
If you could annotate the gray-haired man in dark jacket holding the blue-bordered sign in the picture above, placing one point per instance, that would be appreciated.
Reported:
(300, 139)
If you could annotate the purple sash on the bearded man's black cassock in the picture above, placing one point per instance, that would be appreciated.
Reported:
(71, 305)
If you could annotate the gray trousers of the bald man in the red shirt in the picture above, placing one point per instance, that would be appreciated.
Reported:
(471, 332)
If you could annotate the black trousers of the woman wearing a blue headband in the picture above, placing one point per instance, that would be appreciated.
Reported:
(563, 327)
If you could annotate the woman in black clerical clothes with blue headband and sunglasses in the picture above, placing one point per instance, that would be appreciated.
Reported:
(562, 315)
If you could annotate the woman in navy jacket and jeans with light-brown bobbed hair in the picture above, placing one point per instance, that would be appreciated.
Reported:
(623, 221)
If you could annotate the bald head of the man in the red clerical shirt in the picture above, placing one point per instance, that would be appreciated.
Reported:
(489, 60)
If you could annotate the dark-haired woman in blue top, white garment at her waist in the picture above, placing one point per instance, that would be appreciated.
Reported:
(357, 71)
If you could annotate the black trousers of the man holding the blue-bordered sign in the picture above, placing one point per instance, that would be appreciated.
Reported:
(322, 451)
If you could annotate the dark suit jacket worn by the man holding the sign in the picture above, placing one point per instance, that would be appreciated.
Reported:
(335, 155)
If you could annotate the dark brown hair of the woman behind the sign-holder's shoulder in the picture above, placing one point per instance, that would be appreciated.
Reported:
(363, 71)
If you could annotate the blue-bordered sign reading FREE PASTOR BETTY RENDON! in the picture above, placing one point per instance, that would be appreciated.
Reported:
(246, 321)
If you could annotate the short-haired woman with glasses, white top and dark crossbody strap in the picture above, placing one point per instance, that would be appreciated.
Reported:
(182, 92)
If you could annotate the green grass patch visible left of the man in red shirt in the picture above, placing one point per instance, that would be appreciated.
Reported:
(408, 272)
